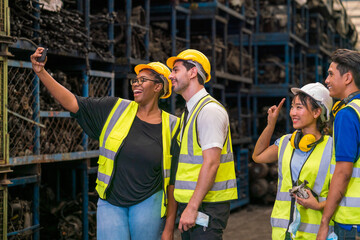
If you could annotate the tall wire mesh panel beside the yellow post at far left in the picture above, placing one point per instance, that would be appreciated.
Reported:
(21, 86)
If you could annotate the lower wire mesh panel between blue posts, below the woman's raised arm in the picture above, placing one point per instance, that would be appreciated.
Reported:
(61, 135)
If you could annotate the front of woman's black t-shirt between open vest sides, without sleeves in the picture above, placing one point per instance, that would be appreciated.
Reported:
(138, 165)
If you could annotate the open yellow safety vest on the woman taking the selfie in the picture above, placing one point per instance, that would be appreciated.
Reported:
(115, 130)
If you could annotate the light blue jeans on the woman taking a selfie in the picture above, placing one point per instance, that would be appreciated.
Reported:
(137, 222)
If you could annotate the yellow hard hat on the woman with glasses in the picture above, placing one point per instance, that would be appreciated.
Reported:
(162, 70)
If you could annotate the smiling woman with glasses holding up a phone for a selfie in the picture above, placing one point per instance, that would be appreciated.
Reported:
(135, 180)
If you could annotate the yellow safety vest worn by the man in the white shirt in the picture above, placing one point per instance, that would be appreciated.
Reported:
(191, 159)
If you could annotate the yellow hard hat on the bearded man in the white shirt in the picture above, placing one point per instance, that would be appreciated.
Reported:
(193, 55)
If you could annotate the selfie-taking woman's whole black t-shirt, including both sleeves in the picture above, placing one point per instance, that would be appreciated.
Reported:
(137, 169)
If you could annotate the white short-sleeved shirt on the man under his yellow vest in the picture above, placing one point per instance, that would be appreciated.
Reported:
(212, 122)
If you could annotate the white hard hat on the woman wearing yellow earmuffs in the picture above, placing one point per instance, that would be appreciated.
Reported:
(320, 94)
